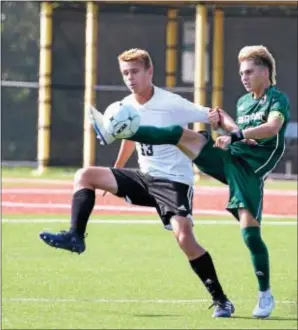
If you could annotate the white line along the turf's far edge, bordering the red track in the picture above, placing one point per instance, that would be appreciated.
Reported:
(146, 222)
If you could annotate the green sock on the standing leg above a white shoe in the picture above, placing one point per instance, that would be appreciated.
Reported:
(259, 255)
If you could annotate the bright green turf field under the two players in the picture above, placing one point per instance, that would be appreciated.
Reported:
(134, 276)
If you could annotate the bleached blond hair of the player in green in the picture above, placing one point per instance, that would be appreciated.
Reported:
(261, 56)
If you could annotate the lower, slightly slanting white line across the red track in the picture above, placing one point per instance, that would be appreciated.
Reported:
(132, 209)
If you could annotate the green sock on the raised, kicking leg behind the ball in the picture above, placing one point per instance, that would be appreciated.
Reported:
(158, 135)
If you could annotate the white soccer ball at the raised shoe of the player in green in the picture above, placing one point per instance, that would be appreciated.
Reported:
(121, 120)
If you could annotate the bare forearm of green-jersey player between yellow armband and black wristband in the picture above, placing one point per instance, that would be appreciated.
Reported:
(266, 130)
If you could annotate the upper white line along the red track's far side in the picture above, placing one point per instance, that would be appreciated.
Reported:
(198, 191)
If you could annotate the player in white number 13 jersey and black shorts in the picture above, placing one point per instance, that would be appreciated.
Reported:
(164, 181)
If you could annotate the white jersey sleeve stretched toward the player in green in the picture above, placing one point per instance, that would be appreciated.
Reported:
(185, 112)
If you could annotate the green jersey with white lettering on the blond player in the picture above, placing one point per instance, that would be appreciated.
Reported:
(252, 113)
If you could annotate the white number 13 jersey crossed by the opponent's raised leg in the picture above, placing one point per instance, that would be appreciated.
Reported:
(164, 109)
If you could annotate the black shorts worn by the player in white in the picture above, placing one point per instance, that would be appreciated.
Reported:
(170, 198)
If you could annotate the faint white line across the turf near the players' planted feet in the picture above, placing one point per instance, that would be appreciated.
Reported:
(125, 301)
